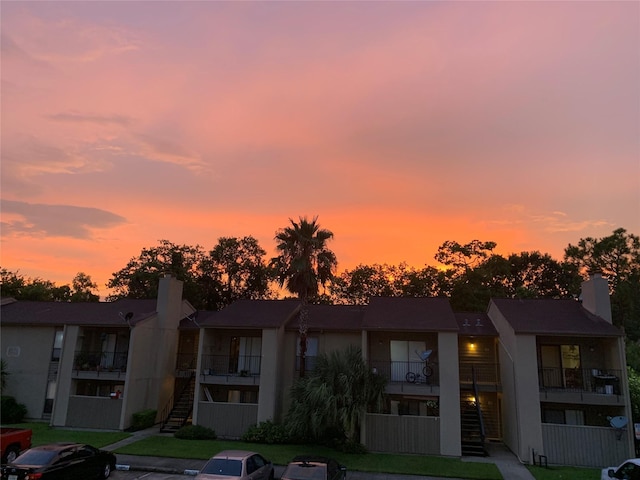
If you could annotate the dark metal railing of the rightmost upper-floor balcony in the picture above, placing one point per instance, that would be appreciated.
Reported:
(580, 380)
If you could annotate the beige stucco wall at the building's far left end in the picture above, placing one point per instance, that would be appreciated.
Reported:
(27, 353)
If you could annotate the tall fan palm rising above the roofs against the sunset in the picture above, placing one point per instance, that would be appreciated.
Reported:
(303, 263)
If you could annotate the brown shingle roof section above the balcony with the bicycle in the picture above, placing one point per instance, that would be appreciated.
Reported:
(408, 313)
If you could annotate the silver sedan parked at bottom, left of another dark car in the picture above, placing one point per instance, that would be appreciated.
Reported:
(237, 465)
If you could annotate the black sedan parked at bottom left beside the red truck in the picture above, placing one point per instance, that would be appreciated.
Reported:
(61, 461)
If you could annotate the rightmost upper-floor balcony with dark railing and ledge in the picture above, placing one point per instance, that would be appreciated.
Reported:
(589, 385)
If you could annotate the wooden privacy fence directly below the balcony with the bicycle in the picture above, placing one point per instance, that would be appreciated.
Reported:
(403, 434)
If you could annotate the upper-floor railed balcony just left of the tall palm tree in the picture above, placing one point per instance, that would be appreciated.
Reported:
(228, 369)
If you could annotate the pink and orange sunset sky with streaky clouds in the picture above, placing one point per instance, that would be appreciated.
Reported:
(400, 124)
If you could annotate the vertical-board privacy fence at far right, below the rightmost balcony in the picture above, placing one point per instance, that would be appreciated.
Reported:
(584, 445)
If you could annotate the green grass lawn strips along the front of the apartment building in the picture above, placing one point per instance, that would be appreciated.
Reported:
(165, 446)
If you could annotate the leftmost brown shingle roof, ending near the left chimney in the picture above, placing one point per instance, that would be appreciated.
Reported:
(80, 313)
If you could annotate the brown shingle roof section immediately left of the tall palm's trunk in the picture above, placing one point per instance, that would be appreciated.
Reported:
(250, 314)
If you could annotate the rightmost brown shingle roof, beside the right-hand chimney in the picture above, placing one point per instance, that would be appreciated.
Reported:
(553, 317)
